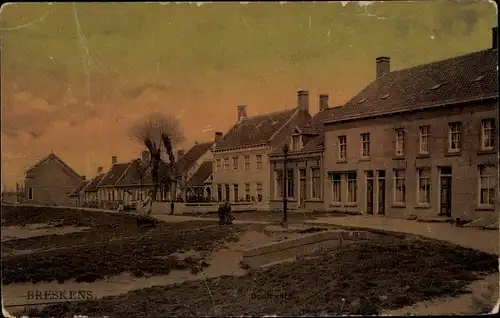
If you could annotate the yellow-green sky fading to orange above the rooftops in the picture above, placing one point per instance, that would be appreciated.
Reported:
(76, 78)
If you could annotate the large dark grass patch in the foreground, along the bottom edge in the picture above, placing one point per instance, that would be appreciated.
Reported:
(364, 278)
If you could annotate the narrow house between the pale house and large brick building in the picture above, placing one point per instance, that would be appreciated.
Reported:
(304, 182)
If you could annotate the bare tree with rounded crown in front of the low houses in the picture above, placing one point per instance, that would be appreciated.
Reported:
(159, 133)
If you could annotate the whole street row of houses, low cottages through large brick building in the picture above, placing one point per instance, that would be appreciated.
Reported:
(421, 140)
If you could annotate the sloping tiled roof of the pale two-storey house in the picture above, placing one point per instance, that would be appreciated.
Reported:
(256, 130)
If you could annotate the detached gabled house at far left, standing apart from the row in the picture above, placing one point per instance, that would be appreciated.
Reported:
(50, 182)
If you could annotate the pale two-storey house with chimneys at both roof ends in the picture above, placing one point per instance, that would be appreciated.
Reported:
(241, 164)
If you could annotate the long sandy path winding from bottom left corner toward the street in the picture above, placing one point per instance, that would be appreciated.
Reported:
(223, 261)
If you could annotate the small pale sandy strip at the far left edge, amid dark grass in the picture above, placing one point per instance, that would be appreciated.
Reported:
(38, 229)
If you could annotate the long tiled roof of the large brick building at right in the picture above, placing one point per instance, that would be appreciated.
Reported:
(460, 79)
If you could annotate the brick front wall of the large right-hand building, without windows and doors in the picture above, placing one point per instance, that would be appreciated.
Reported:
(465, 180)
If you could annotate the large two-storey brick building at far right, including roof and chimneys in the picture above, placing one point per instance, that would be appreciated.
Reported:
(421, 140)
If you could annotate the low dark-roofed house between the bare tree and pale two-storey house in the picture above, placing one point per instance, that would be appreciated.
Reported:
(188, 167)
